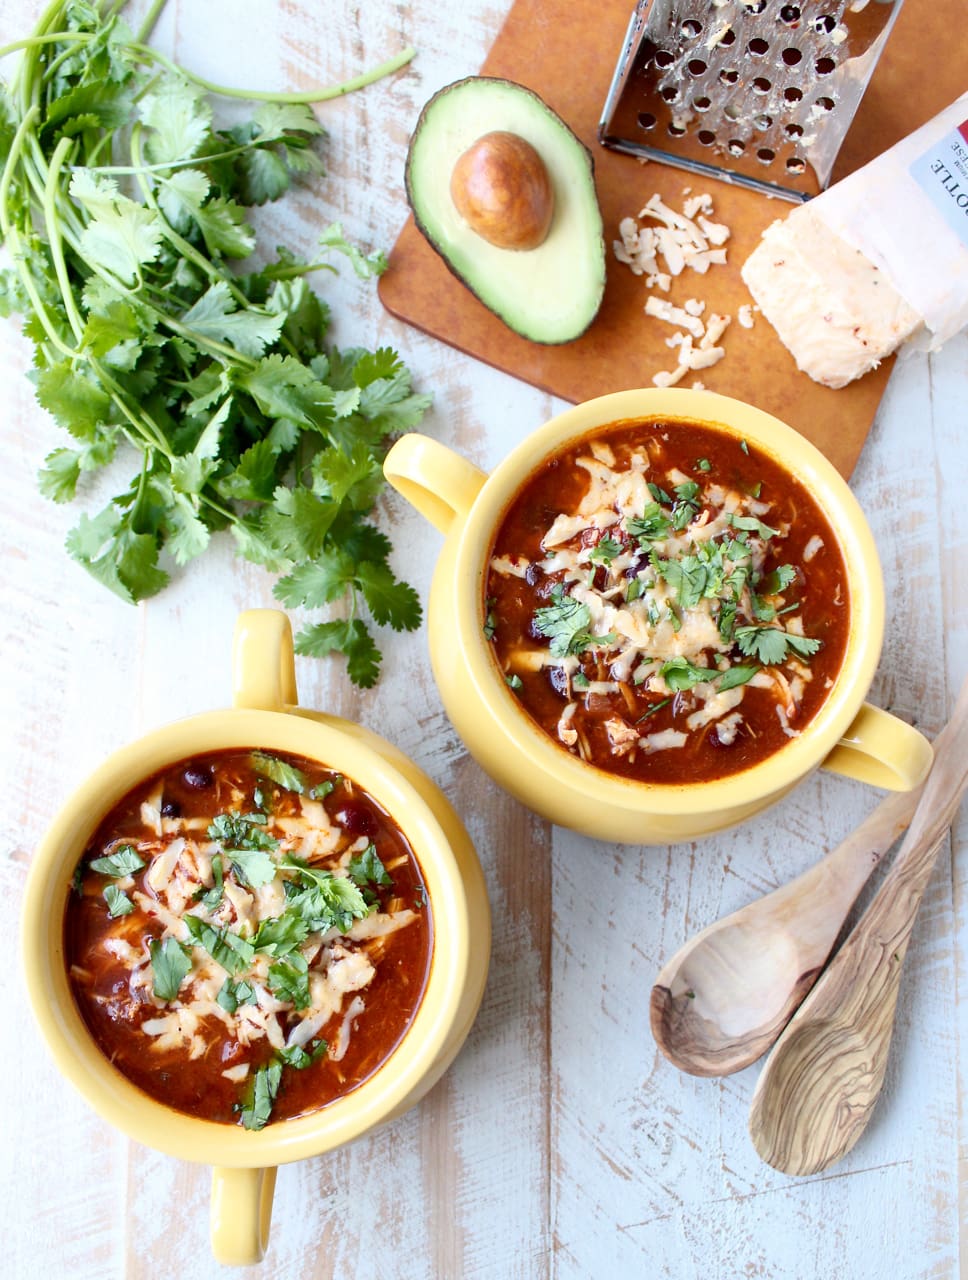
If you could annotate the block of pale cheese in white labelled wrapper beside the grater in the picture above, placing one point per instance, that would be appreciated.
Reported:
(871, 264)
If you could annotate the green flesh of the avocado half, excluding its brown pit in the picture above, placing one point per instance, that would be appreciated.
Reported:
(550, 294)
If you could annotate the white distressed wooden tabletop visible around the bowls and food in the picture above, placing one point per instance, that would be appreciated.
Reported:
(561, 1144)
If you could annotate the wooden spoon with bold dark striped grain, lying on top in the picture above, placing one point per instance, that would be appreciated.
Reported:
(821, 1082)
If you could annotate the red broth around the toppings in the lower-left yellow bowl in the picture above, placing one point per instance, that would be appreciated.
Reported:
(115, 1012)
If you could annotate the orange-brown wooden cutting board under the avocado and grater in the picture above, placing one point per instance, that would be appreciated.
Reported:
(567, 53)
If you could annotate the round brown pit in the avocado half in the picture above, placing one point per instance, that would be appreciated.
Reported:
(503, 190)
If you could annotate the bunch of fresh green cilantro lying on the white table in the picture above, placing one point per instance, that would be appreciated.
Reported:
(124, 209)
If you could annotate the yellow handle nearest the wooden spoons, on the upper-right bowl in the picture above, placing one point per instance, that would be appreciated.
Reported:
(882, 751)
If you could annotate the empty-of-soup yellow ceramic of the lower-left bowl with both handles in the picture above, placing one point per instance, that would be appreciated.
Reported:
(266, 715)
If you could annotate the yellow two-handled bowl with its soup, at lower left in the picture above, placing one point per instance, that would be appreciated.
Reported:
(254, 936)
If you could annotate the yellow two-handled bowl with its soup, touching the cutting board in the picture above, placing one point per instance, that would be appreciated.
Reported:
(657, 615)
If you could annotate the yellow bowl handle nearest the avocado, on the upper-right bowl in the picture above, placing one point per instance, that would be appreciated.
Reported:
(440, 483)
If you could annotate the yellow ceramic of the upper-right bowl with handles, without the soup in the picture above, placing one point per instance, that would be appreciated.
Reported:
(847, 735)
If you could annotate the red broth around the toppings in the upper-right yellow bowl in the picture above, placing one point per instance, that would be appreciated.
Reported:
(512, 602)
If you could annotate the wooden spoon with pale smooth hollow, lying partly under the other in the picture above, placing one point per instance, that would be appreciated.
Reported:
(724, 998)
